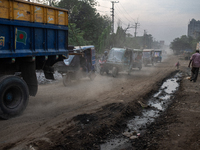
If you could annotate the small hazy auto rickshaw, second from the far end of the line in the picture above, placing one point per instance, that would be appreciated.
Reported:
(148, 57)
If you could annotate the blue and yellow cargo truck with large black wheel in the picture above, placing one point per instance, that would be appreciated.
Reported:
(32, 37)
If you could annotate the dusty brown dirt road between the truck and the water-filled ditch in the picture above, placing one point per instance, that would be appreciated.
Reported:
(50, 118)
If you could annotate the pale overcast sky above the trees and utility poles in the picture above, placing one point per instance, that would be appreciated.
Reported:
(163, 19)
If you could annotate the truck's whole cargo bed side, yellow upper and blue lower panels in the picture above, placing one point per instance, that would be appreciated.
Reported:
(29, 29)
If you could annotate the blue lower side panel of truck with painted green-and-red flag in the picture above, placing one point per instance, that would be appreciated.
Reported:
(17, 41)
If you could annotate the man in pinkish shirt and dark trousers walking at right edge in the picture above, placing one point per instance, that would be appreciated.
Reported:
(195, 60)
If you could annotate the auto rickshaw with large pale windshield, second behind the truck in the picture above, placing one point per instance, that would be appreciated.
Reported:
(119, 59)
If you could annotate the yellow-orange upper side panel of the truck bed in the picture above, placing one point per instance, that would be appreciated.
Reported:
(31, 12)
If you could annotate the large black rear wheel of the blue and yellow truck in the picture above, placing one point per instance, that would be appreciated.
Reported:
(14, 96)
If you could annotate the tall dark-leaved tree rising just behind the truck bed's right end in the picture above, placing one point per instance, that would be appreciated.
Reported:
(87, 20)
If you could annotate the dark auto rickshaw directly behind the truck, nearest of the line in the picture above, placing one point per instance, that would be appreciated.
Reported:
(80, 63)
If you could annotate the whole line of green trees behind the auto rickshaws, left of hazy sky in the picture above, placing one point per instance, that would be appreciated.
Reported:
(87, 27)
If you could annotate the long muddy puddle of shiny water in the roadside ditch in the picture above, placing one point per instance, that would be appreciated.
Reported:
(136, 126)
